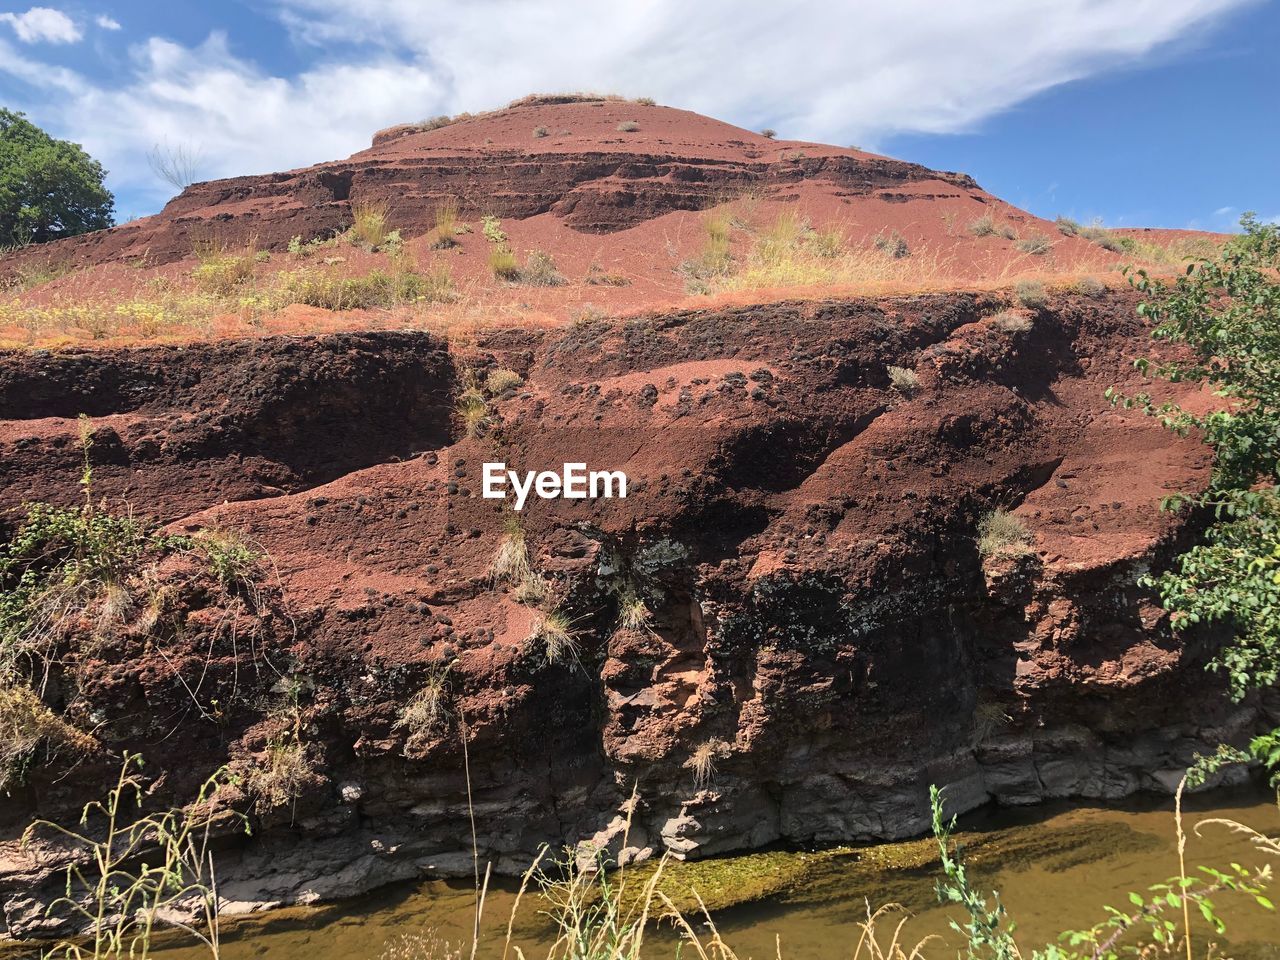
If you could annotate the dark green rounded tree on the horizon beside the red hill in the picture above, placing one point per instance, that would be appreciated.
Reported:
(49, 189)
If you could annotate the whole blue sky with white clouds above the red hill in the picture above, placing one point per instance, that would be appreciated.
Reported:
(1159, 113)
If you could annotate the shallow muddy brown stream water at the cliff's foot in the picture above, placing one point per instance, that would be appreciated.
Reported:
(1055, 867)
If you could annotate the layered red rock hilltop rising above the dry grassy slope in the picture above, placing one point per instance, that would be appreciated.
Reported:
(586, 172)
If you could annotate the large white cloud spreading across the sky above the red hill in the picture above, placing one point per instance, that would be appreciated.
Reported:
(838, 71)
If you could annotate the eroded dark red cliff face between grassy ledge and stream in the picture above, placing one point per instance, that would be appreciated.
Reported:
(820, 639)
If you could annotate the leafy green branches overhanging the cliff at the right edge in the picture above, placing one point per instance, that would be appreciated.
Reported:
(1224, 313)
